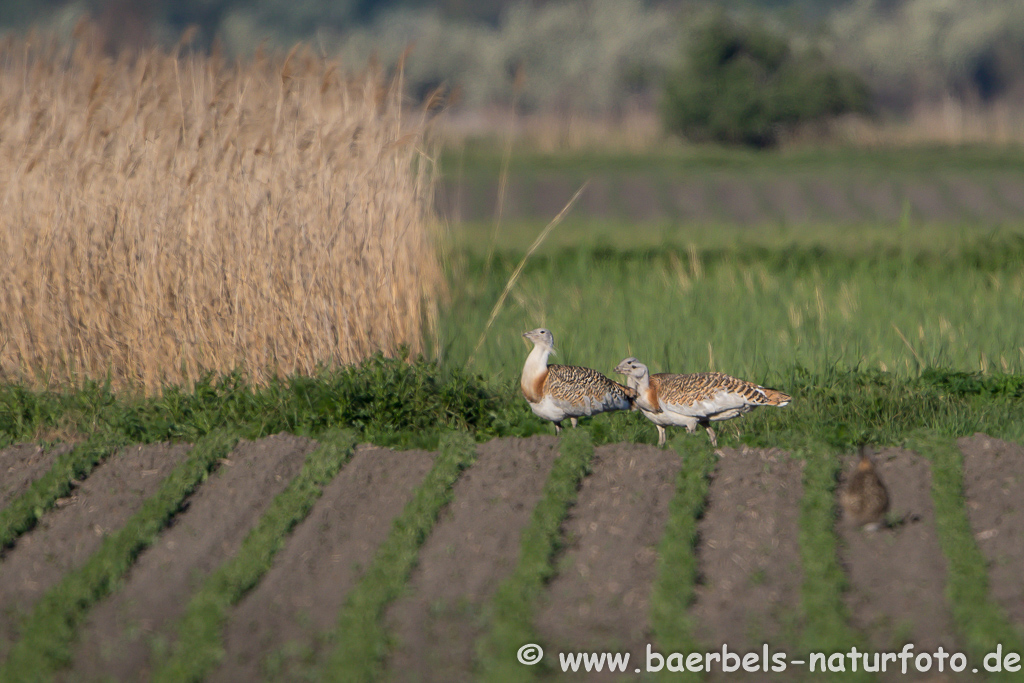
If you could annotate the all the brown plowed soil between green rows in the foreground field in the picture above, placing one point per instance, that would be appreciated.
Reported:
(748, 552)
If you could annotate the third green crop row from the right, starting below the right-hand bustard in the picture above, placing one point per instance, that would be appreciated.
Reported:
(673, 593)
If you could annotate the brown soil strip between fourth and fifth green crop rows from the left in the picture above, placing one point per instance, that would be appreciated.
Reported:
(475, 546)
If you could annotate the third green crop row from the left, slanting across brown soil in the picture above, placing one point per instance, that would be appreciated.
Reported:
(201, 633)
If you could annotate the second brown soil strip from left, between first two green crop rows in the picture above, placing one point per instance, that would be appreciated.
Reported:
(67, 536)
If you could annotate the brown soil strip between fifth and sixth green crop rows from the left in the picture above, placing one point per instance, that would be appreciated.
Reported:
(601, 597)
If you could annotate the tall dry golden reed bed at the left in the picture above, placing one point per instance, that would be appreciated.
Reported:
(166, 216)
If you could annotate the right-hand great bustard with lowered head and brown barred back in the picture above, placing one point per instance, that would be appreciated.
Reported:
(687, 401)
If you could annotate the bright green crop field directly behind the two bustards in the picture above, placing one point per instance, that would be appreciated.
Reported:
(754, 312)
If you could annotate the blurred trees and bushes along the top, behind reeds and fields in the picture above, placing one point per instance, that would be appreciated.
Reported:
(573, 73)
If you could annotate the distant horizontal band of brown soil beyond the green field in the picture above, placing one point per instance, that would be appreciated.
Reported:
(736, 199)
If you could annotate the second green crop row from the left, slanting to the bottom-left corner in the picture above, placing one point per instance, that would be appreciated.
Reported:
(49, 636)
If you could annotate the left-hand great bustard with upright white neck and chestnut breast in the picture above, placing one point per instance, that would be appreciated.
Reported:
(557, 393)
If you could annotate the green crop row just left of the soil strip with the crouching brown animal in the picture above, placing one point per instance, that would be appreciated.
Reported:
(826, 620)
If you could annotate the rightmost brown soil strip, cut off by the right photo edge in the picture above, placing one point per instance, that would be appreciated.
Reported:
(994, 483)
